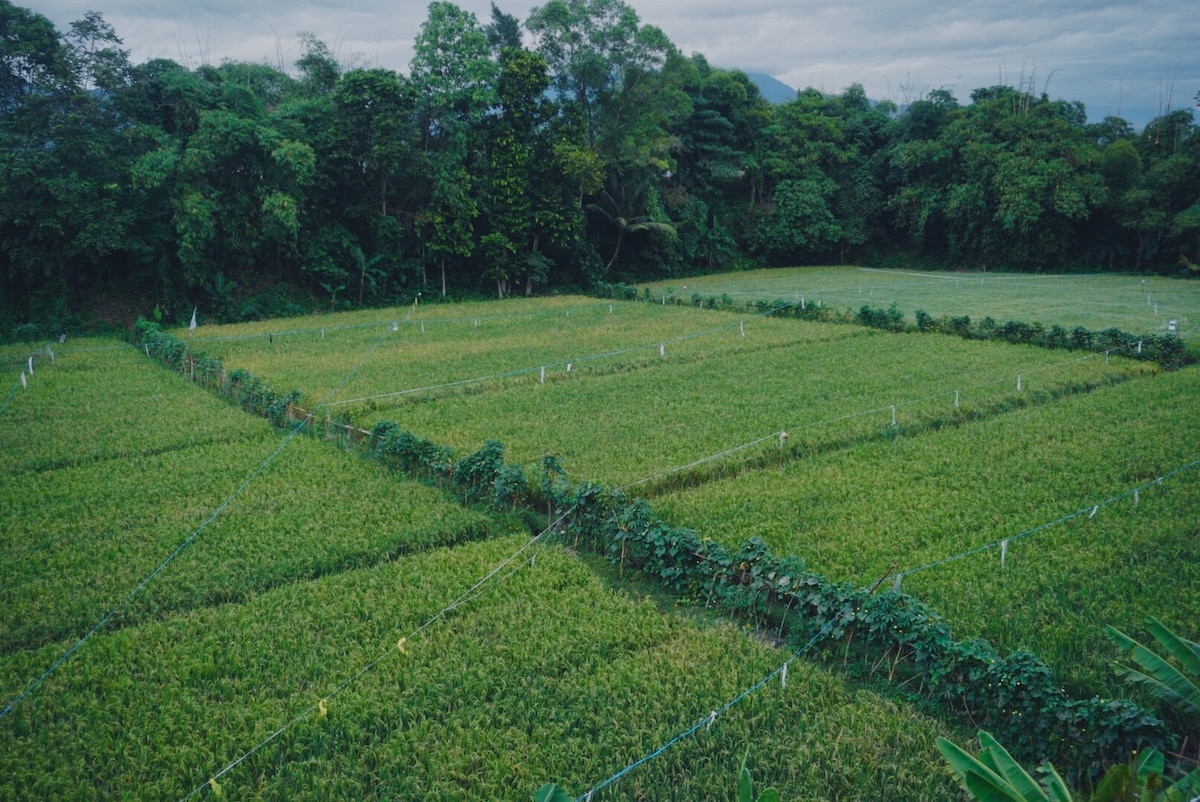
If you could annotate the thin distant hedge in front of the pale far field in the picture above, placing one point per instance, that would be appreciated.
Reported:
(1166, 350)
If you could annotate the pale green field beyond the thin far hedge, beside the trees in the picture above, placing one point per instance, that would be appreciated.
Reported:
(1095, 302)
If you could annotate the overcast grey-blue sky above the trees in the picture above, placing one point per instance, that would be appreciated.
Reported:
(1133, 59)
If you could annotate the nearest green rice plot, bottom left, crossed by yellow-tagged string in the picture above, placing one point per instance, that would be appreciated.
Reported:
(549, 677)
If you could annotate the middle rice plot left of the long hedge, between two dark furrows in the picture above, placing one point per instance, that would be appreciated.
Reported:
(77, 541)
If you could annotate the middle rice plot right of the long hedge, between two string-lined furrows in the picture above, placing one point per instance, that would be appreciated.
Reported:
(635, 426)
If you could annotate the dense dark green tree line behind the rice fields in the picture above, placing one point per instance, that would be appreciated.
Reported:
(578, 147)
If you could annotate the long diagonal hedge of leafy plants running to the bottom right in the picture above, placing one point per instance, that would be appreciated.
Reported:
(1015, 697)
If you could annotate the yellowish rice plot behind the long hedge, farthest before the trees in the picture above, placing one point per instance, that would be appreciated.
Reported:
(483, 342)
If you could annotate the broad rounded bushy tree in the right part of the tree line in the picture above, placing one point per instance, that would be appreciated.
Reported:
(1009, 182)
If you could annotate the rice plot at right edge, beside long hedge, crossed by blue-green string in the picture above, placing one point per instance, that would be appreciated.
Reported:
(919, 500)
